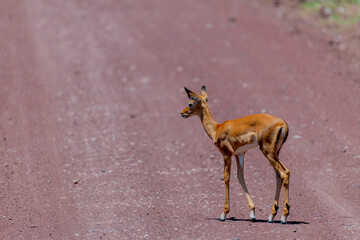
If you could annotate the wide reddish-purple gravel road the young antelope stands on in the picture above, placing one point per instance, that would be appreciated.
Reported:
(93, 146)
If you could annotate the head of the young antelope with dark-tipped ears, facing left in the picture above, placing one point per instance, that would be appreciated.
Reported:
(194, 105)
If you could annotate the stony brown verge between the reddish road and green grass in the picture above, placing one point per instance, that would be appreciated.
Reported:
(340, 35)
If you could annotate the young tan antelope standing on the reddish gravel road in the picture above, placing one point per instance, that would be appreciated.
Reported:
(235, 138)
